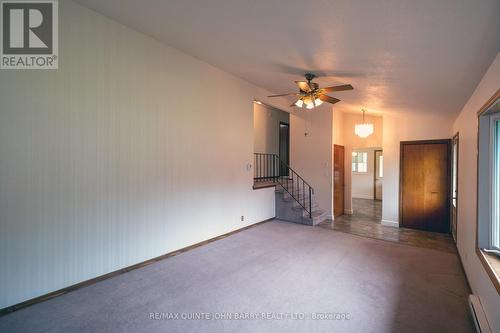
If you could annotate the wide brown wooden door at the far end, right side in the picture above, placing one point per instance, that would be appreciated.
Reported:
(425, 185)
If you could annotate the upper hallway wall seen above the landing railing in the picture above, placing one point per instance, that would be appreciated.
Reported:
(266, 121)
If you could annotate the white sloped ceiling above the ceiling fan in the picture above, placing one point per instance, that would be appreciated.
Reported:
(422, 56)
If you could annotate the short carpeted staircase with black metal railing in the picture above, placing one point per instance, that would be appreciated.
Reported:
(294, 196)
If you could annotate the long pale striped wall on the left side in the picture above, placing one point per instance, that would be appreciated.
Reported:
(130, 150)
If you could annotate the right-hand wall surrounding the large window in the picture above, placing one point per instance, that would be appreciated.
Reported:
(466, 125)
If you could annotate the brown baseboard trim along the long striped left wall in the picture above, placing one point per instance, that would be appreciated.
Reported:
(85, 283)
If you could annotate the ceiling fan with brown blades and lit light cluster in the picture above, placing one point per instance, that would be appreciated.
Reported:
(311, 95)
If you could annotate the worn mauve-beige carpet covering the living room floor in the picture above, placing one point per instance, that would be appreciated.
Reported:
(278, 277)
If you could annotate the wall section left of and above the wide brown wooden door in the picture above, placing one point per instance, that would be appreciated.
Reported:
(404, 127)
